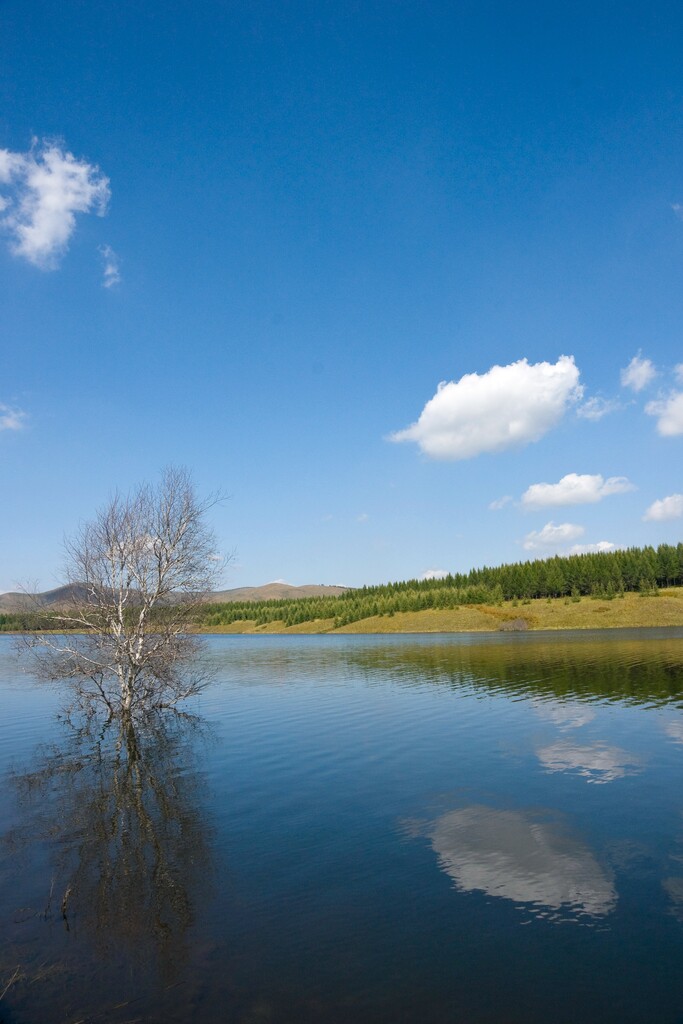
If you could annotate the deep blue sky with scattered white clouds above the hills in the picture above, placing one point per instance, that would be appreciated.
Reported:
(254, 239)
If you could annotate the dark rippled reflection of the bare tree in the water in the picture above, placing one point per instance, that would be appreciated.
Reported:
(118, 810)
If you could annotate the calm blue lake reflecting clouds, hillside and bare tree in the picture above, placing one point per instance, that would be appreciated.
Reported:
(463, 830)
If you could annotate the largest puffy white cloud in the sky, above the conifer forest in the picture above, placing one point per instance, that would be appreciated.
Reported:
(505, 408)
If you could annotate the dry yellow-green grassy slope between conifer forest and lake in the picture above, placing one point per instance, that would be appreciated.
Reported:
(632, 611)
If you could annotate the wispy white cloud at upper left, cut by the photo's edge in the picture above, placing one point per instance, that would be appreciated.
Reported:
(46, 189)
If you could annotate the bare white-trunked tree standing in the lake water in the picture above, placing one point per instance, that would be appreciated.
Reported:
(138, 572)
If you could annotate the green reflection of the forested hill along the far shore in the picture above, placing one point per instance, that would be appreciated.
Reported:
(639, 666)
